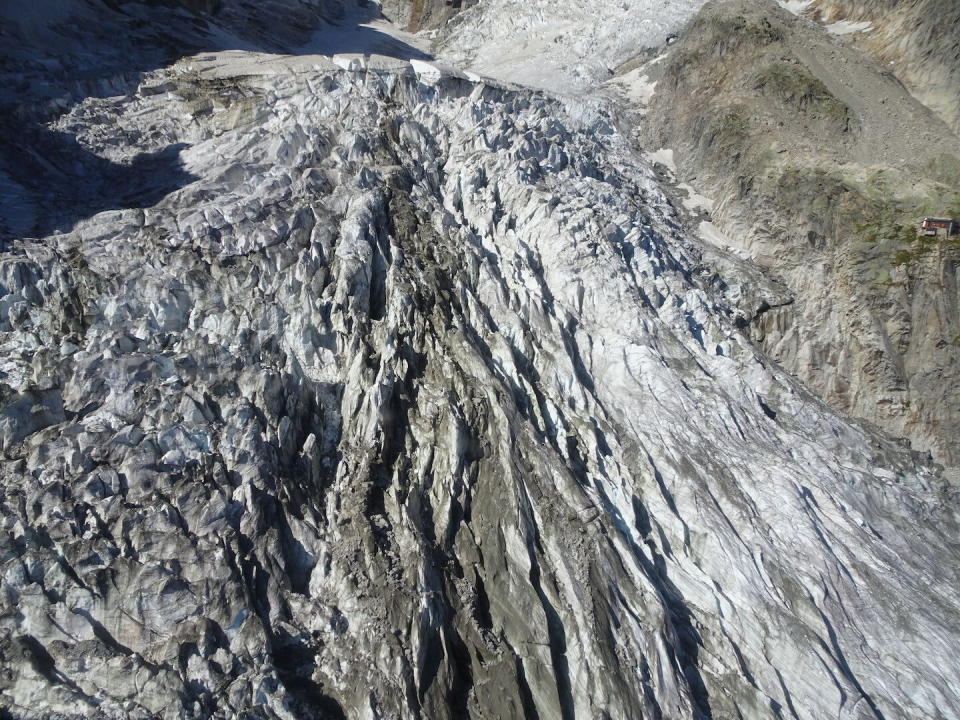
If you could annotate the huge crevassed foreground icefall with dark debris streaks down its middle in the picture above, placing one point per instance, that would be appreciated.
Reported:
(409, 397)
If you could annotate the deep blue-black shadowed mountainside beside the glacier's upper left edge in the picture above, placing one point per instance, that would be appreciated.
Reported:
(48, 180)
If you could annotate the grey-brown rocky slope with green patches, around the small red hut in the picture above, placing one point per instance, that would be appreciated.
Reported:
(820, 165)
